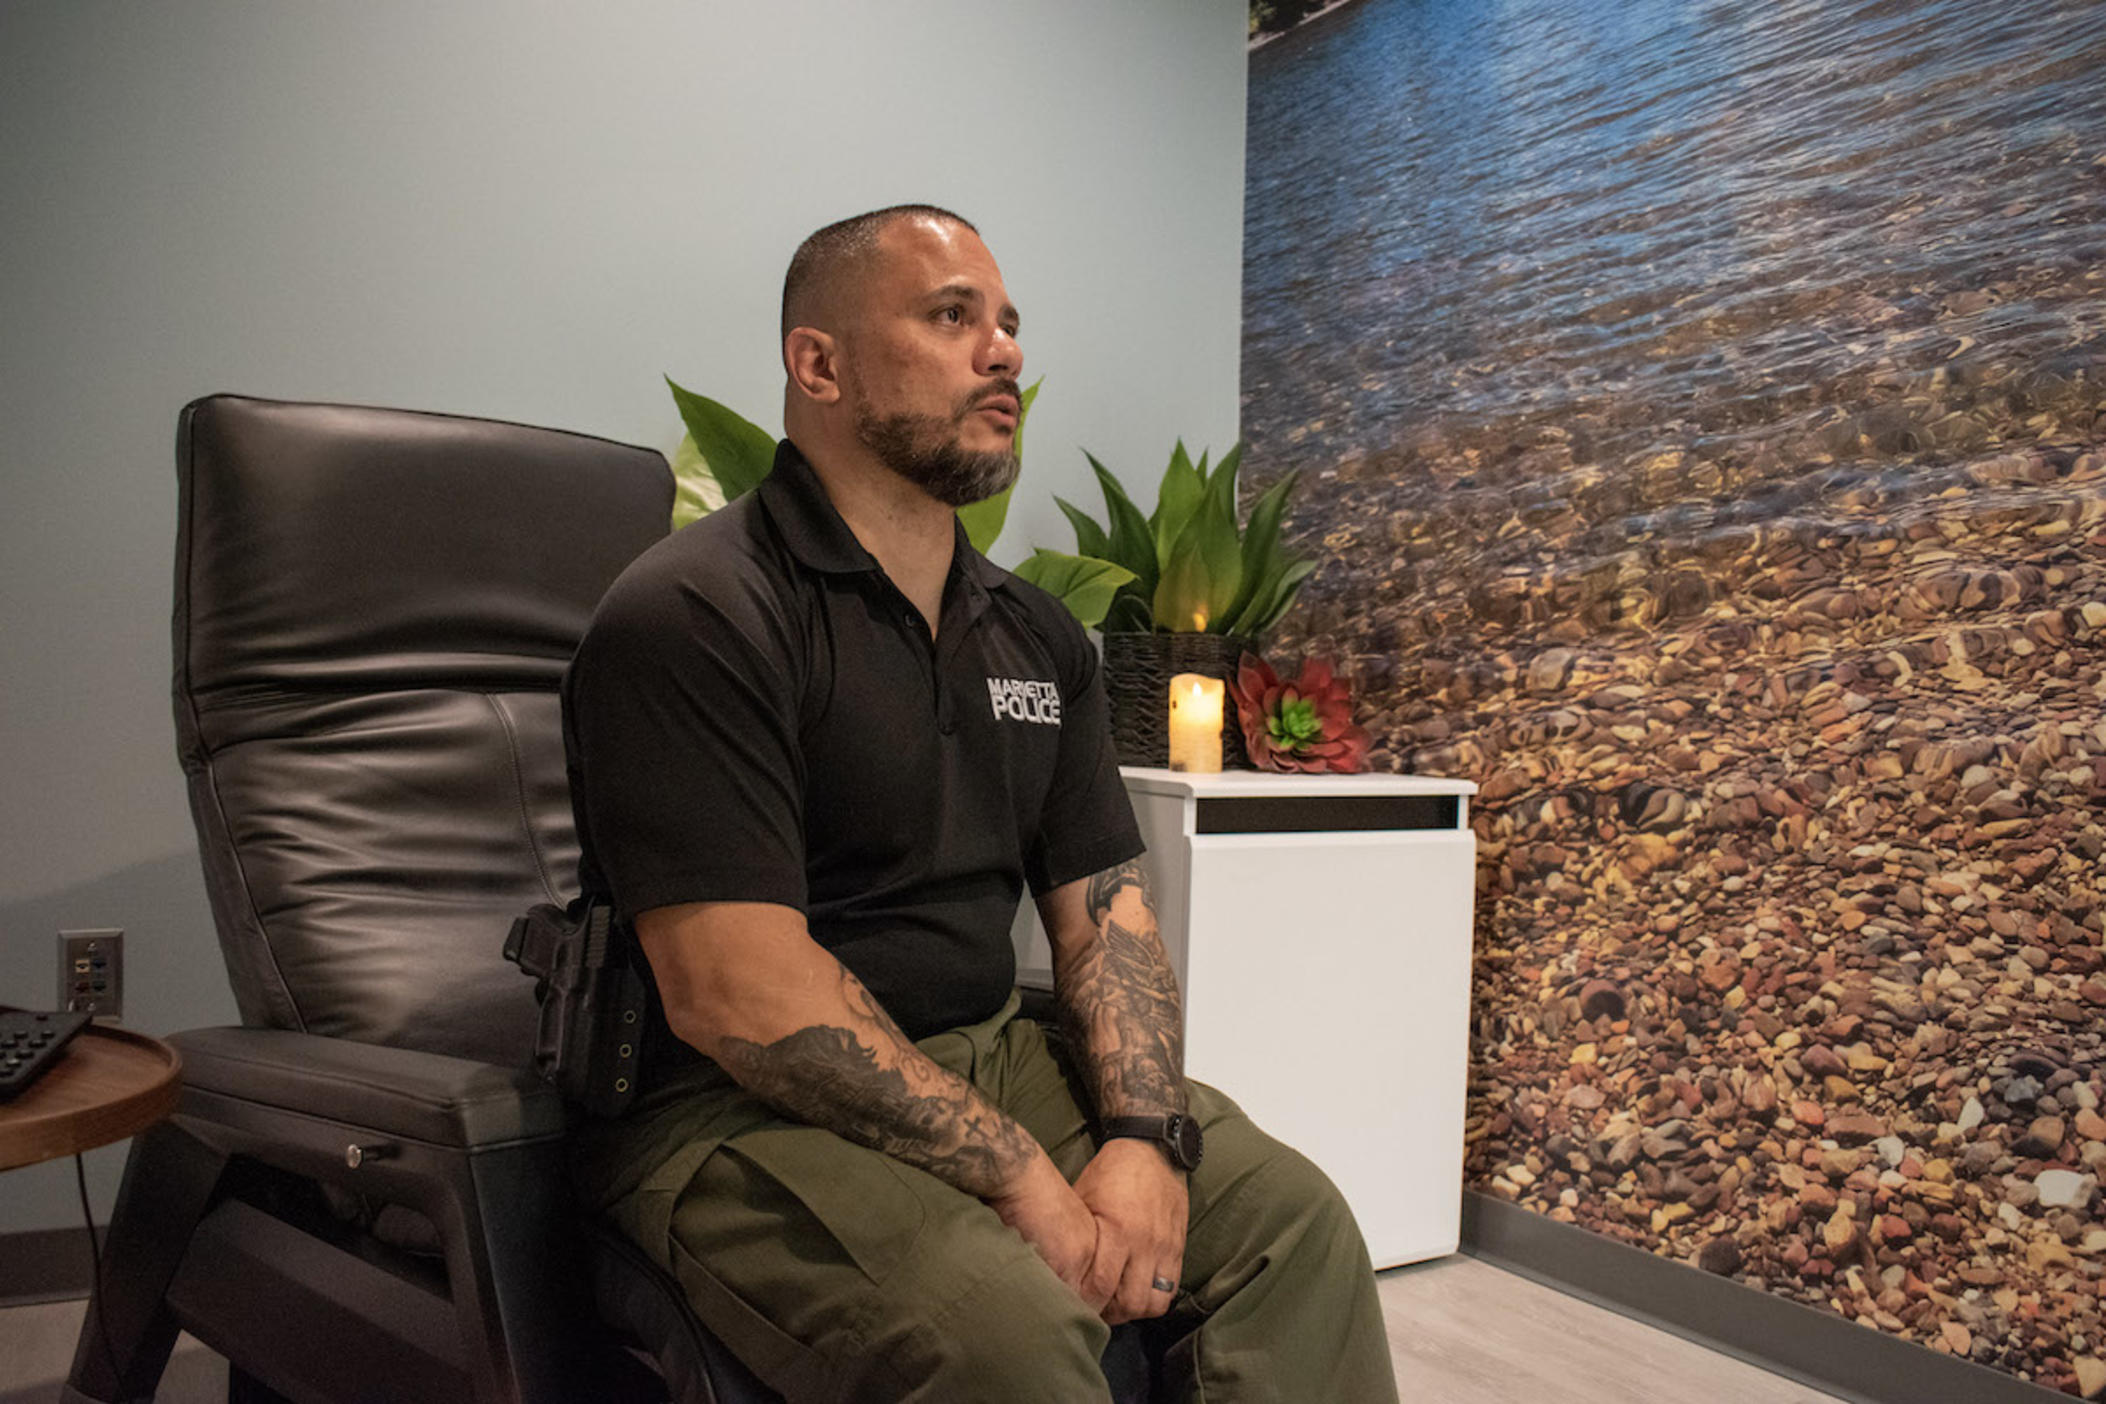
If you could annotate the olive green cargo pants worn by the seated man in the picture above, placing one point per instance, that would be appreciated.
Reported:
(843, 1275)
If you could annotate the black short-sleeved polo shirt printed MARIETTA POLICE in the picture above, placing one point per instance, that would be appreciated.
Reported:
(759, 715)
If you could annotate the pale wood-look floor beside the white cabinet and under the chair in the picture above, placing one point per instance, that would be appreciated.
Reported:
(1461, 1333)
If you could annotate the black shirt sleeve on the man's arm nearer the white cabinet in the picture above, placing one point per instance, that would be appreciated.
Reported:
(1088, 822)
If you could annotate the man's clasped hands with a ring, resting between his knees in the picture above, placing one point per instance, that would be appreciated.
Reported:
(1111, 1235)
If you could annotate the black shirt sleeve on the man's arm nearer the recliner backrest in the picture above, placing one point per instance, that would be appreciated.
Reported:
(681, 721)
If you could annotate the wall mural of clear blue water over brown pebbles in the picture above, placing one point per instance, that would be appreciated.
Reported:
(1703, 424)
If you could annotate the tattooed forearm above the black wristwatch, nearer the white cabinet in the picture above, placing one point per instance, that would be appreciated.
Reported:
(1119, 1001)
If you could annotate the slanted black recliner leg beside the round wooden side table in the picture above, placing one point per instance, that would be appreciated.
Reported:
(125, 1342)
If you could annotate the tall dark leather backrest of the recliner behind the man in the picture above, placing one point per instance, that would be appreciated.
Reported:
(374, 611)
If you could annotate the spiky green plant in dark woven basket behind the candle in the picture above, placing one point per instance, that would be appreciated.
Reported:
(1201, 590)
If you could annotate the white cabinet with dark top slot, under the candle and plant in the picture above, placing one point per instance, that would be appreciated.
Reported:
(1322, 934)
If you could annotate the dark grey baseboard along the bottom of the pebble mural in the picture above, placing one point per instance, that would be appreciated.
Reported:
(1806, 1344)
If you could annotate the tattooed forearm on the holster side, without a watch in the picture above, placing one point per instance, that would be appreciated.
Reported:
(869, 1083)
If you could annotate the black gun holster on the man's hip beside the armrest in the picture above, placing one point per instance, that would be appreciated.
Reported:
(593, 1003)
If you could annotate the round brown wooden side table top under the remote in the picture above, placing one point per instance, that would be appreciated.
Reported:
(108, 1085)
